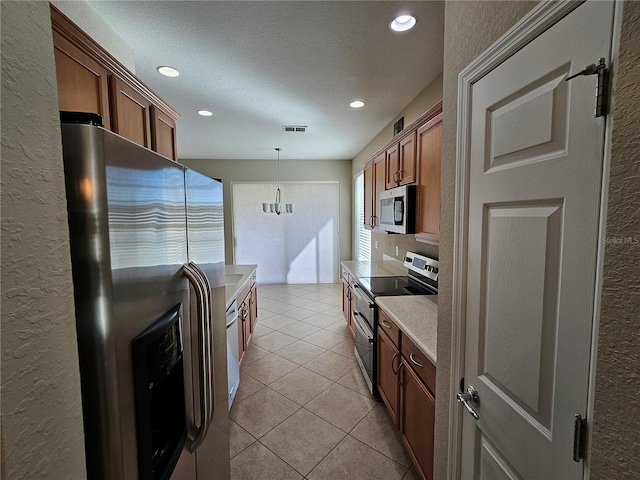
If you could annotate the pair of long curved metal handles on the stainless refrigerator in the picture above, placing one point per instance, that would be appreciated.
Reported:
(203, 313)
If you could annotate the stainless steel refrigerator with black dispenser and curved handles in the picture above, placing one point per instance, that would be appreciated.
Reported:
(147, 250)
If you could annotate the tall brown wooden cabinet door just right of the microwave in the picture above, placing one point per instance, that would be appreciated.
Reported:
(429, 152)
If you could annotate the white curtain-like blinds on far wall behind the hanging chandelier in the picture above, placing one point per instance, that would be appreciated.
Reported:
(298, 247)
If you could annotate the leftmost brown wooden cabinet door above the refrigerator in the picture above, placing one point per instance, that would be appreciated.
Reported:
(82, 82)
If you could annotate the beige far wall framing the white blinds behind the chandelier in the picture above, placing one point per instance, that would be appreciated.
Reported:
(290, 170)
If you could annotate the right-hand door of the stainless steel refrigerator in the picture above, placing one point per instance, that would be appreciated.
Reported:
(205, 237)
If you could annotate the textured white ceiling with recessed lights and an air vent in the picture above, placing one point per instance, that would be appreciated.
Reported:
(260, 65)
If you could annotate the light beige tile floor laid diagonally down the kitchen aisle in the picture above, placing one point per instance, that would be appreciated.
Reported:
(303, 410)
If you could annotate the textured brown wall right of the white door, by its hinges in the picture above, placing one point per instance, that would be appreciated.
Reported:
(615, 449)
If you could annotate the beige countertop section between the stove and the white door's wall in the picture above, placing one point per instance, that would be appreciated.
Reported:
(417, 317)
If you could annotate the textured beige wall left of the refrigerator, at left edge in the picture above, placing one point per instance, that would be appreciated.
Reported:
(42, 434)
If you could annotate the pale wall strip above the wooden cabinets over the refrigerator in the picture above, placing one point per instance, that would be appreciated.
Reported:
(93, 25)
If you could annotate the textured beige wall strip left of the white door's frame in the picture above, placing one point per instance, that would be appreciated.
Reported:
(470, 28)
